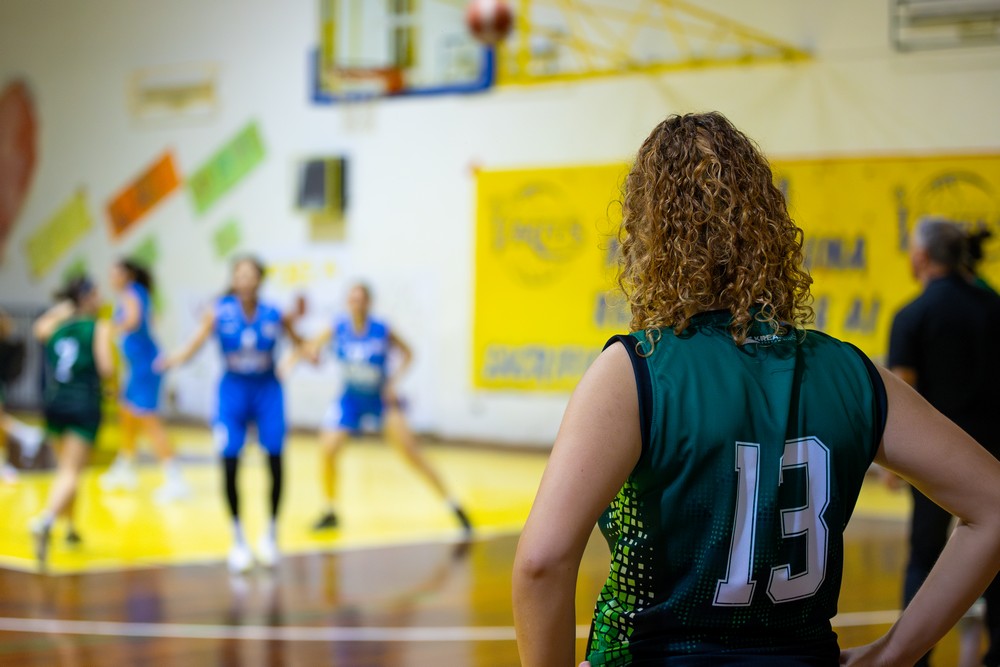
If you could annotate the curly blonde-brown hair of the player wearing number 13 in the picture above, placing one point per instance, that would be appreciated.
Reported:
(704, 227)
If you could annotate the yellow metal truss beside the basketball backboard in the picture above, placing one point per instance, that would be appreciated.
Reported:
(570, 40)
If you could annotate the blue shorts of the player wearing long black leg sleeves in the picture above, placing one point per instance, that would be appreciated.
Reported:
(249, 398)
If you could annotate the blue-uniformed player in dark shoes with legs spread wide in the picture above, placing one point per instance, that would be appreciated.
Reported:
(362, 346)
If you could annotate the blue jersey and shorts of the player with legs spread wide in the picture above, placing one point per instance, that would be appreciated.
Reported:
(363, 358)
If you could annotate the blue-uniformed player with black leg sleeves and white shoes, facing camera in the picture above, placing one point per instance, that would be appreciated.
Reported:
(248, 331)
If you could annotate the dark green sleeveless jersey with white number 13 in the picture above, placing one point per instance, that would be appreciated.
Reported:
(726, 538)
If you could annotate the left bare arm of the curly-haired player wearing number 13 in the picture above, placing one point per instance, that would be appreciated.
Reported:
(597, 447)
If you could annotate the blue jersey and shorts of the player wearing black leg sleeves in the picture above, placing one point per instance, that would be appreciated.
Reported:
(249, 389)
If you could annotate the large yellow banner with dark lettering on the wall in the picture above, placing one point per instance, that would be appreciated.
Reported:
(545, 275)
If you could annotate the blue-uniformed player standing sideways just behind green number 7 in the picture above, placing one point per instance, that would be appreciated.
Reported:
(140, 400)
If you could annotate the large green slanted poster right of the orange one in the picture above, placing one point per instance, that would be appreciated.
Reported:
(227, 167)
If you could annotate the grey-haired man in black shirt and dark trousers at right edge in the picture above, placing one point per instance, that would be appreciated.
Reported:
(946, 343)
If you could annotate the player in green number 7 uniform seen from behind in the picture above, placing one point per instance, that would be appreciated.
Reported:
(77, 355)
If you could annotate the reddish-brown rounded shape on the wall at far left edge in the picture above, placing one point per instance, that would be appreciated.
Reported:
(18, 148)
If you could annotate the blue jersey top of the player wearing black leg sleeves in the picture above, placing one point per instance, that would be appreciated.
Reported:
(247, 345)
